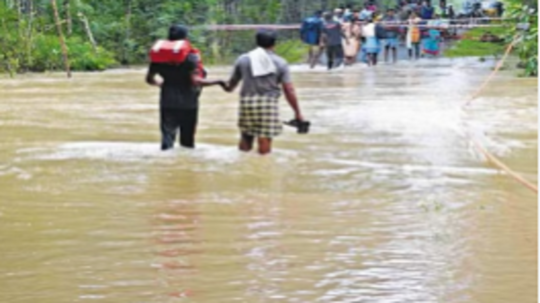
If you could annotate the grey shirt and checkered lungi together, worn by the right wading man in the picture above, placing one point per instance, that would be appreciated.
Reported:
(259, 106)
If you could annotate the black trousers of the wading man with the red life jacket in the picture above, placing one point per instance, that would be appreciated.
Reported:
(174, 119)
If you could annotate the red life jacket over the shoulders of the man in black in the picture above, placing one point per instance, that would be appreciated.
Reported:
(175, 52)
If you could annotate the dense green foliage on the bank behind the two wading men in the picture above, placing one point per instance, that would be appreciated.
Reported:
(104, 33)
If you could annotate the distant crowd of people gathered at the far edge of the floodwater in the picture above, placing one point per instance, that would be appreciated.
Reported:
(347, 32)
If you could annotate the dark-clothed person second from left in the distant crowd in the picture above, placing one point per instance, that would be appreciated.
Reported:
(331, 37)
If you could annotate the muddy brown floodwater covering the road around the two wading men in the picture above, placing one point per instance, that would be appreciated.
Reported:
(385, 201)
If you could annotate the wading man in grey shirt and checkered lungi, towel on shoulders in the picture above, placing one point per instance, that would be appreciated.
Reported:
(264, 75)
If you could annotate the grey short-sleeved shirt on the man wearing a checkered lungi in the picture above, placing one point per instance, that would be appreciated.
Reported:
(262, 86)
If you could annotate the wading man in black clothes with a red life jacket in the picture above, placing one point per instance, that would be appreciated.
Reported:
(180, 67)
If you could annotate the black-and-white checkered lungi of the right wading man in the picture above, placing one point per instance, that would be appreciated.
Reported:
(259, 116)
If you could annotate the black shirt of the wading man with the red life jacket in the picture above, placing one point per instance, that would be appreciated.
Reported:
(177, 90)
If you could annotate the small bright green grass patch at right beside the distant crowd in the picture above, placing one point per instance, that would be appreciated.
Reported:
(472, 47)
